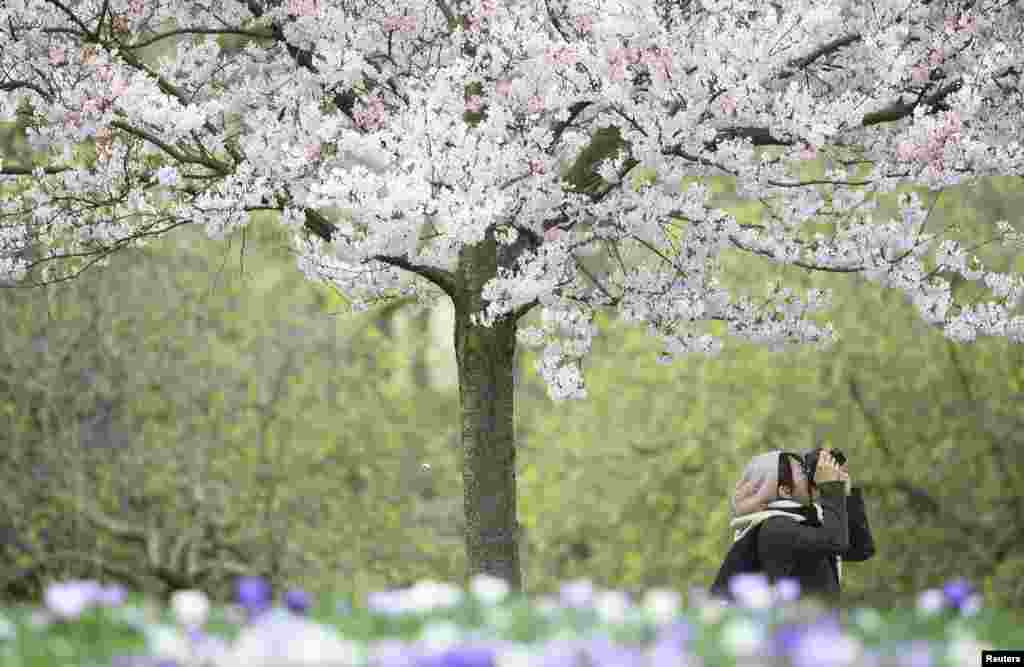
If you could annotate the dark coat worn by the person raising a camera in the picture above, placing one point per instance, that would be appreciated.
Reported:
(805, 552)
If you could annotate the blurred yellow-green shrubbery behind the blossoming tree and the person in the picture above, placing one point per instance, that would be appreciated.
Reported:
(198, 409)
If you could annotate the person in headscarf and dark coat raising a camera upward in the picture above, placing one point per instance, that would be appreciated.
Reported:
(782, 532)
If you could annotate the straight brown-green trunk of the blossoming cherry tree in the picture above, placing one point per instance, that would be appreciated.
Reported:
(487, 391)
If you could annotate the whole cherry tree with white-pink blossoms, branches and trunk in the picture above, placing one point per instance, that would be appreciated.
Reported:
(418, 148)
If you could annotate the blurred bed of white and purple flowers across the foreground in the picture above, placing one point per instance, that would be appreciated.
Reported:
(440, 626)
